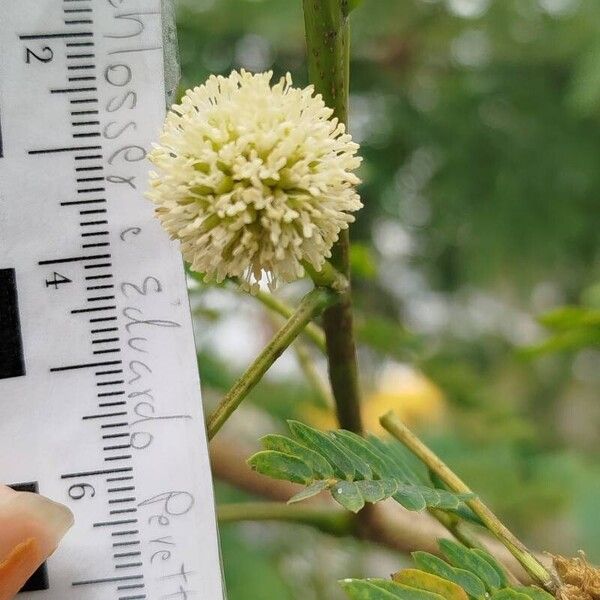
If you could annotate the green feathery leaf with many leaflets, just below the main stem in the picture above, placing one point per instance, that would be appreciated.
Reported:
(353, 469)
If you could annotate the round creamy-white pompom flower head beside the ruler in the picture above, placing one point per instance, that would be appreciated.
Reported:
(254, 180)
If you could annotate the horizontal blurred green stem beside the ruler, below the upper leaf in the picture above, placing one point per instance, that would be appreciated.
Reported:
(328, 520)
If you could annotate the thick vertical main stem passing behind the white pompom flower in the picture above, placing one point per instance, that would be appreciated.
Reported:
(327, 41)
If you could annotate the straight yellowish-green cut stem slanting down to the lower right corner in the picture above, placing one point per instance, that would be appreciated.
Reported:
(529, 562)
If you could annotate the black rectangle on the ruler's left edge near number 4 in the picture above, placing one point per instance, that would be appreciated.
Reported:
(12, 362)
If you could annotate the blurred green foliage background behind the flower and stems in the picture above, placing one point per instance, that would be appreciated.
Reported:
(475, 262)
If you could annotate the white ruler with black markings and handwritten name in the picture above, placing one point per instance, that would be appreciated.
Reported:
(100, 402)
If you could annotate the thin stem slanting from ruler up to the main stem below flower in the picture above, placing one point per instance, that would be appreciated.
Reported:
(312, 304)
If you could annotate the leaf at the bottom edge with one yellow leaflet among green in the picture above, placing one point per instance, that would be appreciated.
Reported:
(469, 573)
